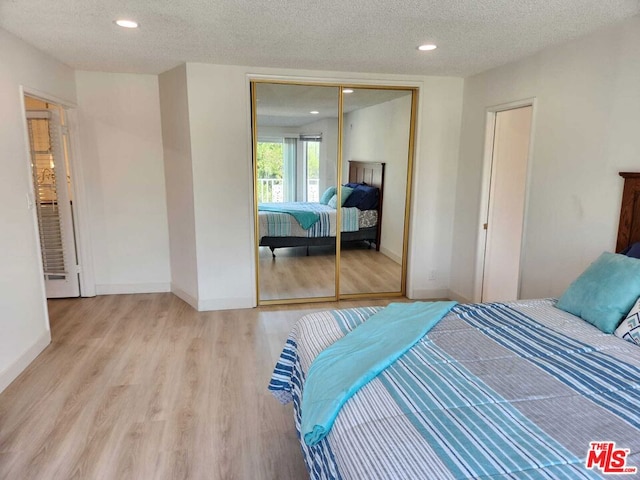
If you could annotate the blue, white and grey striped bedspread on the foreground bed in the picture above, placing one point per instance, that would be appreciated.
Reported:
(493, 391)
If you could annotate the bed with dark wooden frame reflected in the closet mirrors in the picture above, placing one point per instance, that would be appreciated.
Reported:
(280, 230)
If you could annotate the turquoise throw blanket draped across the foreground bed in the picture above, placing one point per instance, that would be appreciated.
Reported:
(351, 362)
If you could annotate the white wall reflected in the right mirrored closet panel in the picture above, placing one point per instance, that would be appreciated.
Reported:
(380, 133)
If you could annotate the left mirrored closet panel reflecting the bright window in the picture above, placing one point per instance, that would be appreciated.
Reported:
(296, 160)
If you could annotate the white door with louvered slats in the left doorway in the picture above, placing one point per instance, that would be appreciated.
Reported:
(49, 146)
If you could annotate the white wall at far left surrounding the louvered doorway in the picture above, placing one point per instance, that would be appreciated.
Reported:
(24, 325)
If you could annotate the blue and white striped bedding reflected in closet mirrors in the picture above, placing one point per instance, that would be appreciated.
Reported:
(274, 224)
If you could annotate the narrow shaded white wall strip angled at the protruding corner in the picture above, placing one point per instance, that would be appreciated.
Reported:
(178, 173)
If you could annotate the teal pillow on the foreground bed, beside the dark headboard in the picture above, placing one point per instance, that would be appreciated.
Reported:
(605, 292)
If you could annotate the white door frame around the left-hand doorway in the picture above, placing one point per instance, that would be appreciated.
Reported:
(80, 211)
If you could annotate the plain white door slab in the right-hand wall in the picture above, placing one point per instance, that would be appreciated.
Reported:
(505, 219)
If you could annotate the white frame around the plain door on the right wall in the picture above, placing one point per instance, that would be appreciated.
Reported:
(487, 165)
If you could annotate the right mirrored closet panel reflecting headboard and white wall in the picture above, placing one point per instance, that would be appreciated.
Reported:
(376, 138)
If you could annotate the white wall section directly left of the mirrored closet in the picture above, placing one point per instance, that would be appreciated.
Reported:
(223, 185)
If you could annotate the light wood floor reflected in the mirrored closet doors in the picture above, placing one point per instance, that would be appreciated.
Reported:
(293, 274)
